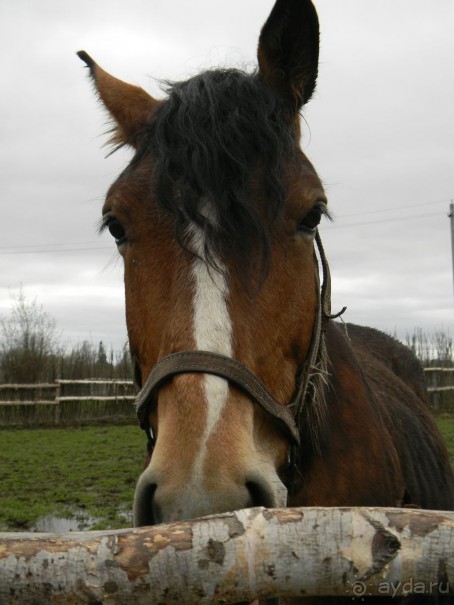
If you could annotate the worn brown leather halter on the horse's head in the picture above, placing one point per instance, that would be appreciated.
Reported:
(287, 417)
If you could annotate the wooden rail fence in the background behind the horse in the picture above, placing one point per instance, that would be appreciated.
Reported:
(66, 402)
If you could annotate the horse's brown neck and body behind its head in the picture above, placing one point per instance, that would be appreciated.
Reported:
(380, 443)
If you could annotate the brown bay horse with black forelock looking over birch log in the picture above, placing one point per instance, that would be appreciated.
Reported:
(251, 393)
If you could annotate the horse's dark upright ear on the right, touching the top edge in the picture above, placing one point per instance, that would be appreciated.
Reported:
(288, 50)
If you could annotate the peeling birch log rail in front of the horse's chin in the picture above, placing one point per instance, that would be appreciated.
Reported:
(235, 557)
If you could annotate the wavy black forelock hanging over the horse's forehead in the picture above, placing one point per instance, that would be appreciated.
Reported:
(221, 140)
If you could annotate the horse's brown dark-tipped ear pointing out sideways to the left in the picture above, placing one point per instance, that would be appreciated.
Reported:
(129, 106)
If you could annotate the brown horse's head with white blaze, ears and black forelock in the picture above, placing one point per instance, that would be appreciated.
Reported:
(215, 218)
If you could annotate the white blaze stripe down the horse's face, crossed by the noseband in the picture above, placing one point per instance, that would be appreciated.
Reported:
(212, 332)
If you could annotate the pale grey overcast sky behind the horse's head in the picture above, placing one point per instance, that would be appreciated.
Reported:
(380, 131)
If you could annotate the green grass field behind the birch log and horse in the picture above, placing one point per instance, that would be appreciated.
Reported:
(86, 473)
